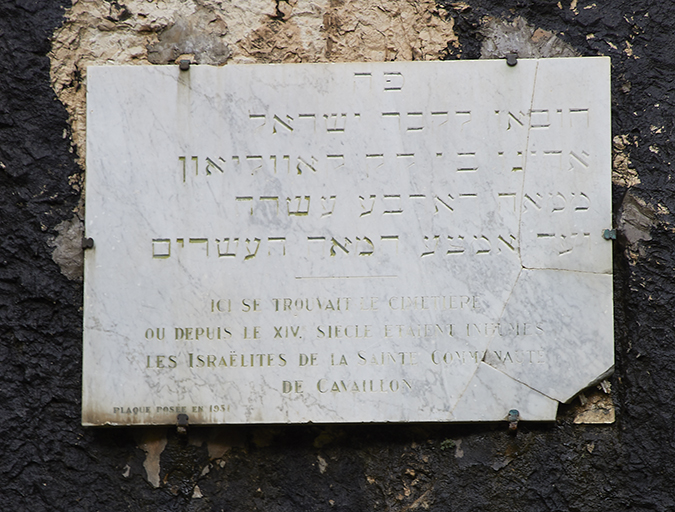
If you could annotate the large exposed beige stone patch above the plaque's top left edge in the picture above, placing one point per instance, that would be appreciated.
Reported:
(213, 31)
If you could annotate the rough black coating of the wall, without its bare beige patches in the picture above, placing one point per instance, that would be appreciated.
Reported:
(49, 462)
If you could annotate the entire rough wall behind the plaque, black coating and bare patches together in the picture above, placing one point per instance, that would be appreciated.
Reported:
(579, 463)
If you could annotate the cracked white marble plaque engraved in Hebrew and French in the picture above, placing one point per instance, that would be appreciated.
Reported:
(386, 242)
